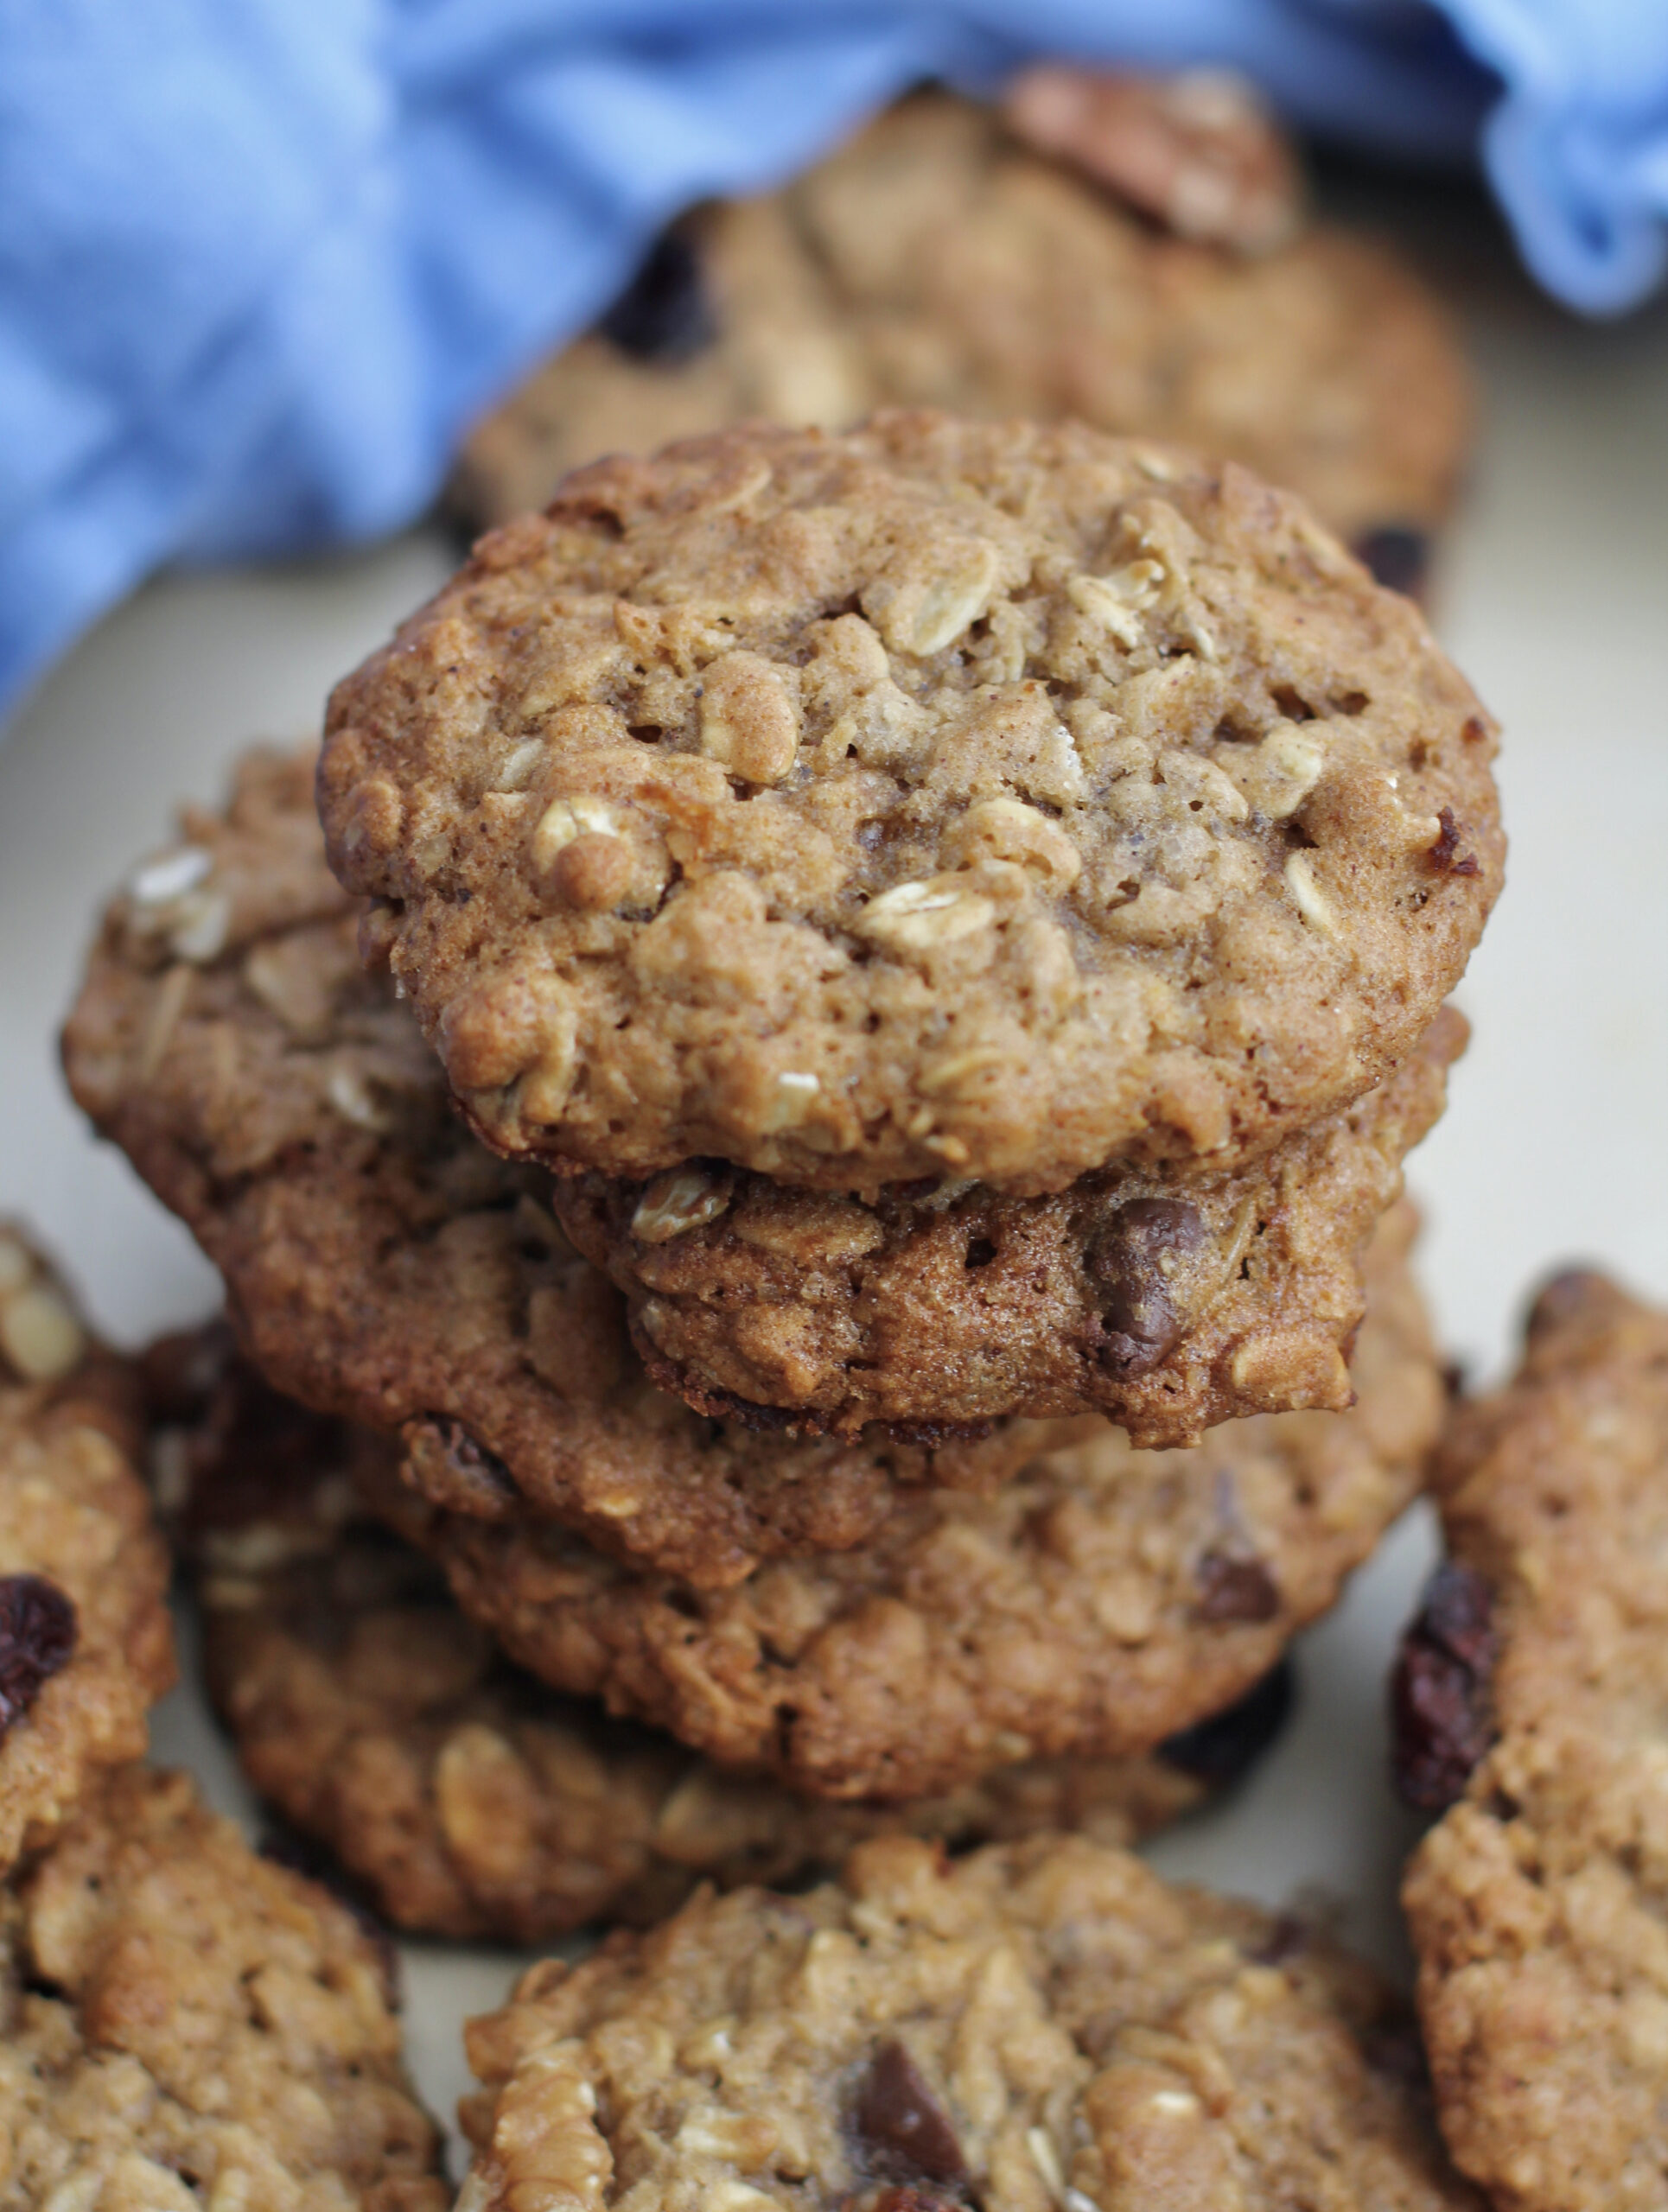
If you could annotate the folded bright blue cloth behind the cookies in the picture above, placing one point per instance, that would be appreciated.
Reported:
(264, 260)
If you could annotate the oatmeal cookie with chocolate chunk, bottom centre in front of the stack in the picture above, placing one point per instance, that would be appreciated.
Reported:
(1032, 2027)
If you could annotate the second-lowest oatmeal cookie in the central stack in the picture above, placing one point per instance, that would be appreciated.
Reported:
(1092, 1607)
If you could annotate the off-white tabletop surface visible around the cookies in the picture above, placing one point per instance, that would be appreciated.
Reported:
(1556, 603)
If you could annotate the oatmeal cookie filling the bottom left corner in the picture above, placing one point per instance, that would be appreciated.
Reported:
(185, 2025)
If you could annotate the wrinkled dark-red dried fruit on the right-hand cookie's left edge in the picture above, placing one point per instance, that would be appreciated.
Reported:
(1439, 1711)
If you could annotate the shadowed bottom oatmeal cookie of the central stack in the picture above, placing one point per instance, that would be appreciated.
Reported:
(463, 1795)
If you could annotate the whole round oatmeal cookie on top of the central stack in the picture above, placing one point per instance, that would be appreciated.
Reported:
(941, 800)
